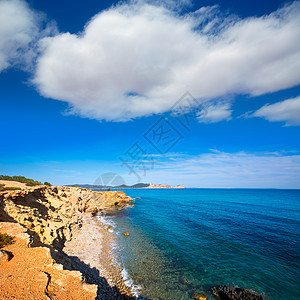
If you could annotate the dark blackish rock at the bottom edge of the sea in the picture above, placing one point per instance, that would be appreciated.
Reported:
(225, 292)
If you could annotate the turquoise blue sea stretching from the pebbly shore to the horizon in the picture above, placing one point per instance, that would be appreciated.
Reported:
(242, 237)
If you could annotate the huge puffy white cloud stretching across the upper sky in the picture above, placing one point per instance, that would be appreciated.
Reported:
(137, 59)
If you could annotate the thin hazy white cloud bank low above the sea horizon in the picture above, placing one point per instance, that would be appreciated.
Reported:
(230, 170)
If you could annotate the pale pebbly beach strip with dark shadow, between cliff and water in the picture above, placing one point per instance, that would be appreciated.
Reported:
(90, 252)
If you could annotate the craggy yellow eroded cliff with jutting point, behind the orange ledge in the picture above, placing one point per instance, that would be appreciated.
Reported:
(53, 213)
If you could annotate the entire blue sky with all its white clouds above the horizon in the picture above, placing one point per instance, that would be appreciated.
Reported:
(82, 86)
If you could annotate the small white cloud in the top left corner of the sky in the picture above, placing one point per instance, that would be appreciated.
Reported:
(20, 29)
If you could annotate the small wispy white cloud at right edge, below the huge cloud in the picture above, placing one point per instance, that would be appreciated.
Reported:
(285, 111)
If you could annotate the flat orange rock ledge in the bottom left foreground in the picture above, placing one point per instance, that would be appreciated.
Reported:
(33, 274)
